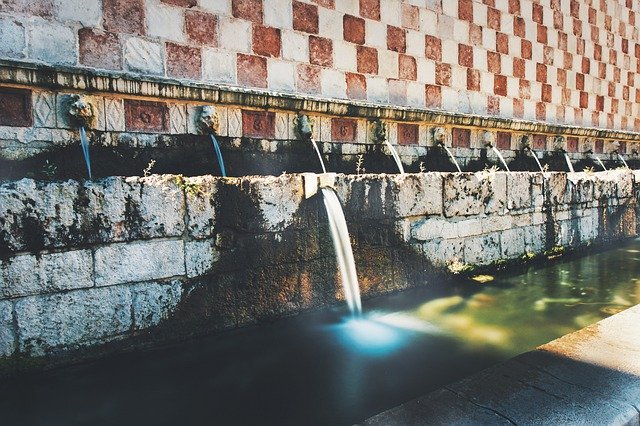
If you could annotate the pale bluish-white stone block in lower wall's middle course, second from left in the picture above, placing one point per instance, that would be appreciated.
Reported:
(138, 261)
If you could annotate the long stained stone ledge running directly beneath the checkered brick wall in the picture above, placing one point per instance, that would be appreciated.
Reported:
(86, 80)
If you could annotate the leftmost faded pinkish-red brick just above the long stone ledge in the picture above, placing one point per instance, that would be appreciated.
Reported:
(100, 49)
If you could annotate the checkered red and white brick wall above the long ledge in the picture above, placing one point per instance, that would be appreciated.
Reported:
(565, 61)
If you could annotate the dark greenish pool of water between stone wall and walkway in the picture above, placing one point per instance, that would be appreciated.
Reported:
(327, 368)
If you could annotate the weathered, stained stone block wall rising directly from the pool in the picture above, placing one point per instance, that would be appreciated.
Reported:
(135, 259)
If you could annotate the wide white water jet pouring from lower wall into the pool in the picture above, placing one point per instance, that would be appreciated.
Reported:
(344, 253)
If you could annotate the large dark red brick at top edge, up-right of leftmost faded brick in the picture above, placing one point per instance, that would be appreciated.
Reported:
(123, 16)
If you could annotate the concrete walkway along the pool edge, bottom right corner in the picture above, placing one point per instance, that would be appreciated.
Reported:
(588, 377)
